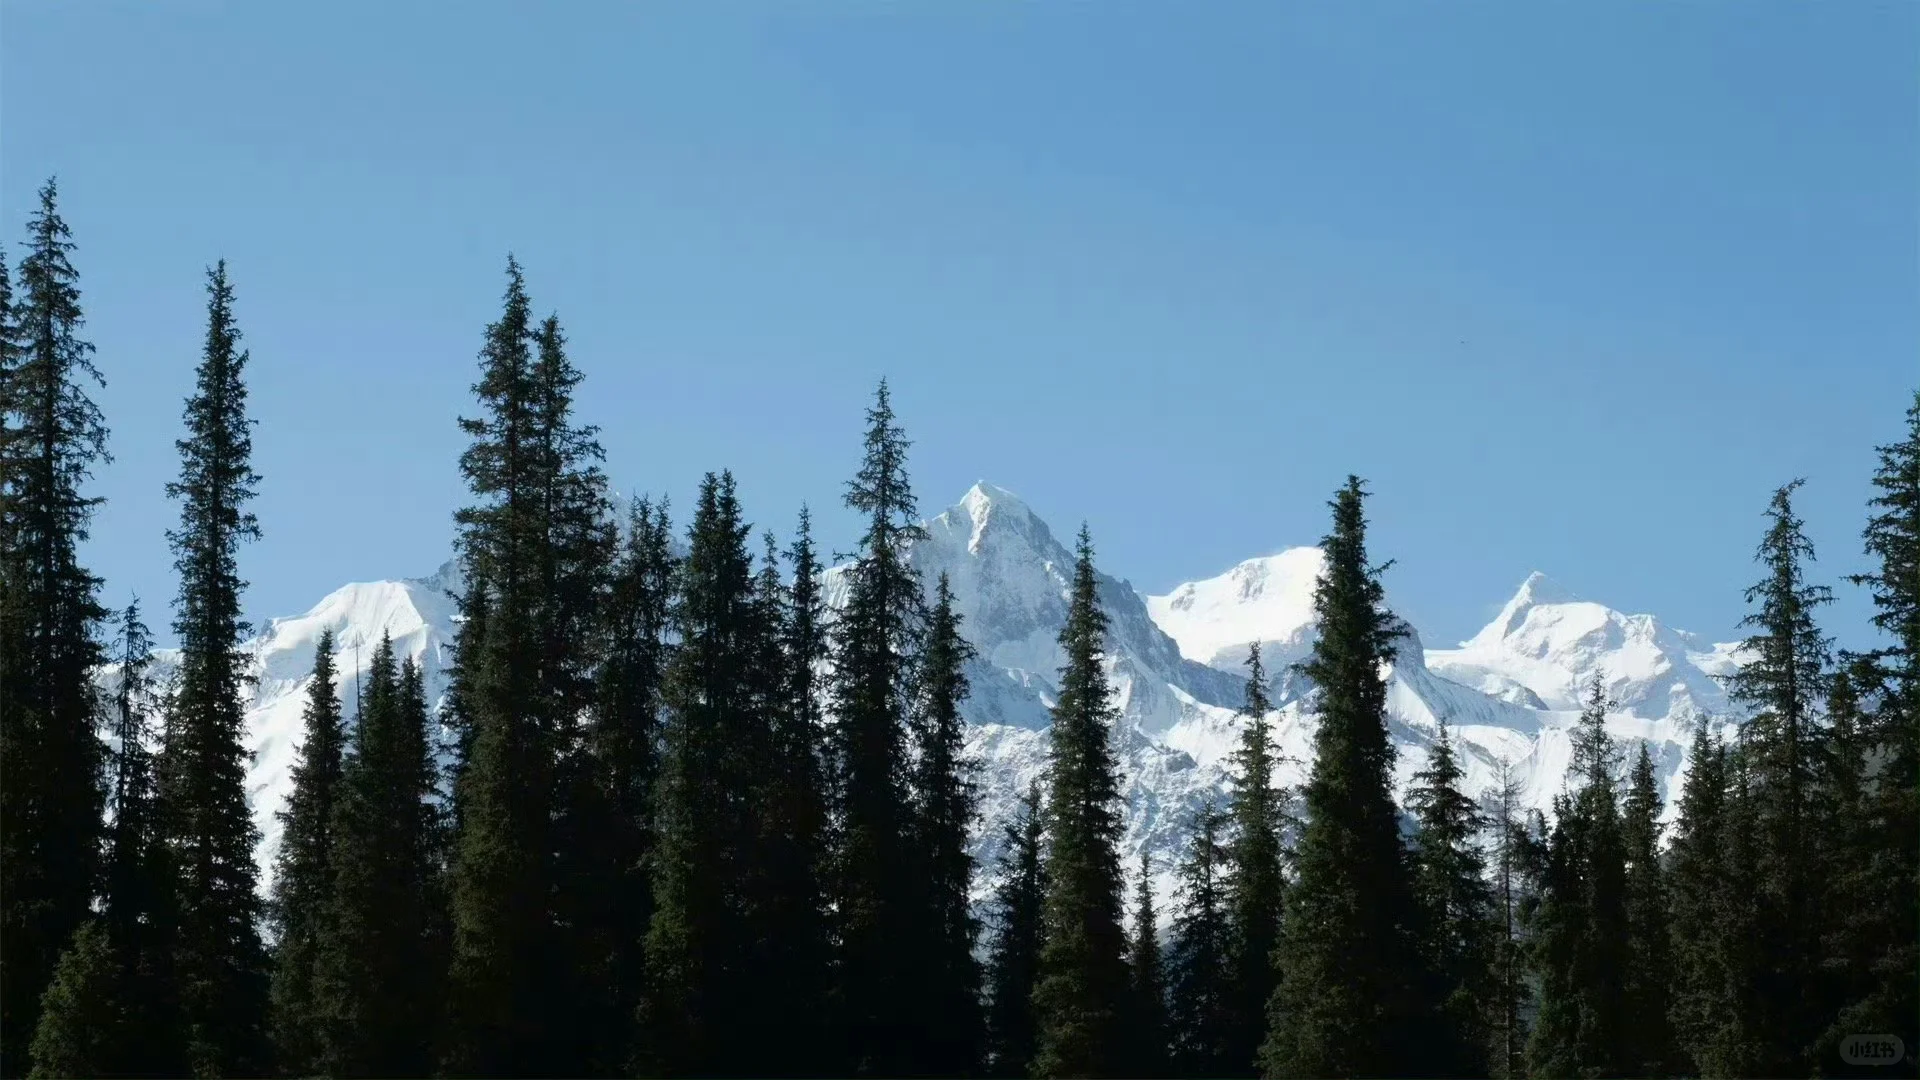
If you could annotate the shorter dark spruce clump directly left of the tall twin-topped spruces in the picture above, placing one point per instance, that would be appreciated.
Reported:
(379, 966)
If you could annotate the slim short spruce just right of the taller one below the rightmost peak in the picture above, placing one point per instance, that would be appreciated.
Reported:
(1648, 1048)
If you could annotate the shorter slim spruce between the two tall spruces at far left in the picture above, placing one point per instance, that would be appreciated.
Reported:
(137, 889)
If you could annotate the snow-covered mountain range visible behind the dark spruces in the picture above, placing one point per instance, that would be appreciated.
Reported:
(1176, 662)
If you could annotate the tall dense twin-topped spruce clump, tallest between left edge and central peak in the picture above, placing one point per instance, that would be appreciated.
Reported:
(535, 547)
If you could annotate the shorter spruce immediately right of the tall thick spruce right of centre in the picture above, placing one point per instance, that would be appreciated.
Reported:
(1456, 916)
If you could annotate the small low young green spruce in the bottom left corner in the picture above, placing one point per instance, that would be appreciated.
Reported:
(82, 1021)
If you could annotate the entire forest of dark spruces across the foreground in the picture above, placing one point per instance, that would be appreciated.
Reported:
(681, 818)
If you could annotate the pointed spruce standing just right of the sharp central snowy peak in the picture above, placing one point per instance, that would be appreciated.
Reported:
(1082, 996)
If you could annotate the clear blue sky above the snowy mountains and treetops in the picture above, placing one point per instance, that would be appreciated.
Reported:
(1573, 285)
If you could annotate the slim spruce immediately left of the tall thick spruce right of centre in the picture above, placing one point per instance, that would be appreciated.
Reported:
(1257, 883)
